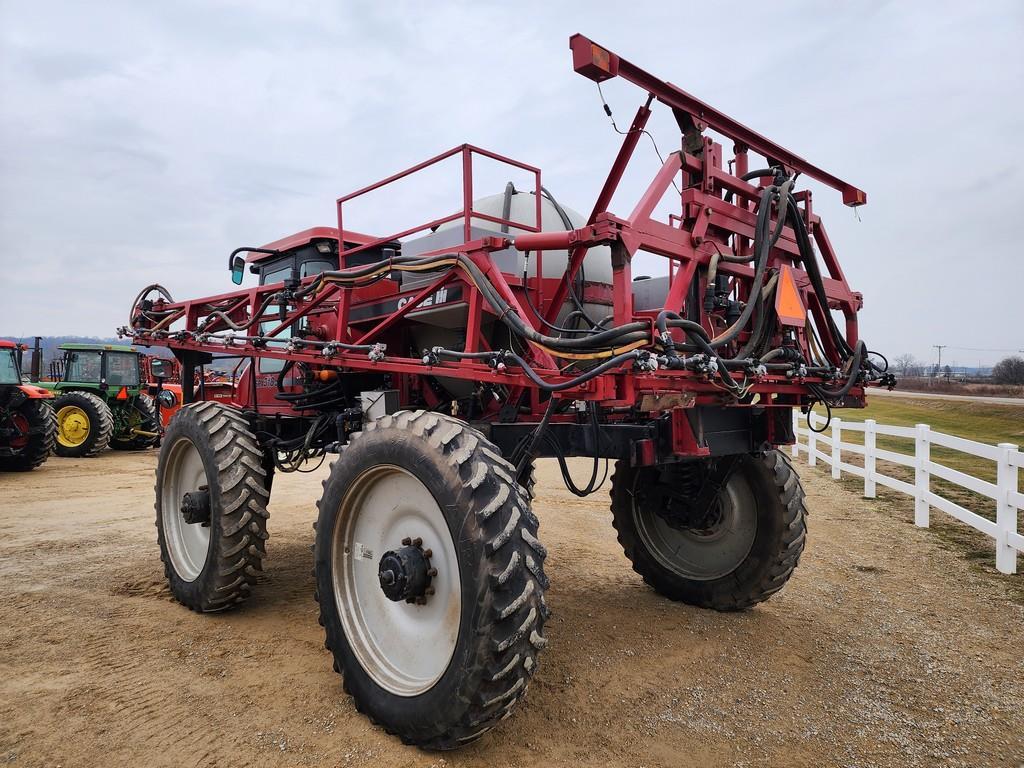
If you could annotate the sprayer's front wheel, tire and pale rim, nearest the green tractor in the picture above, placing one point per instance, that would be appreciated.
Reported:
(211, 507)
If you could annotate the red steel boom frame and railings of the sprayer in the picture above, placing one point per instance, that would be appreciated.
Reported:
(689, 240)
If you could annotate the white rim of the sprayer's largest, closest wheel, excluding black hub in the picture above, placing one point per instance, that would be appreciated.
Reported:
(405, 648)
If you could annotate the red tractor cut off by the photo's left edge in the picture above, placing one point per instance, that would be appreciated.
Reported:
(28, 424)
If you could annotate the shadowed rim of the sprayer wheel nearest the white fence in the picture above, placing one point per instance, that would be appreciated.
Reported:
(704, 557)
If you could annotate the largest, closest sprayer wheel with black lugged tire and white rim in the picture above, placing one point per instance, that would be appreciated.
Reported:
(437, 665)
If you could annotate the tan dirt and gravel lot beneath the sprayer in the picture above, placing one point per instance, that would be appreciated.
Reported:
(884, 650)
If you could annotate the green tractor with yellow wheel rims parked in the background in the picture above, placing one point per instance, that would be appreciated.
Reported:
(101, 401)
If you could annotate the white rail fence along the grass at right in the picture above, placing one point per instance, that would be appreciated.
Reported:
(1005, 492)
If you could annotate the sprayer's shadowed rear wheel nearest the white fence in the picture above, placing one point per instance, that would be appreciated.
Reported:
(747, 547)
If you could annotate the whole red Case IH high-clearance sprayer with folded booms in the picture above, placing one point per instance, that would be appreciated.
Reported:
(438, 363)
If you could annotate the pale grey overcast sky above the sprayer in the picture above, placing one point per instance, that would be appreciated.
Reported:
(142, 142)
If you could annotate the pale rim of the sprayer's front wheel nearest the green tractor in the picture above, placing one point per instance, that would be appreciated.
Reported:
(188, 544)
